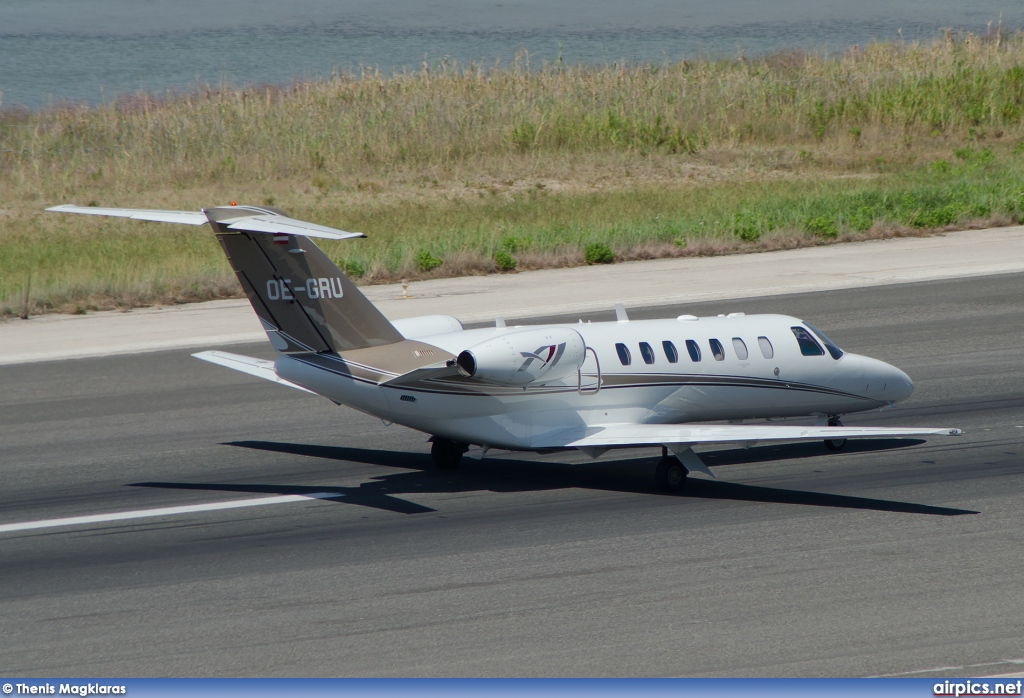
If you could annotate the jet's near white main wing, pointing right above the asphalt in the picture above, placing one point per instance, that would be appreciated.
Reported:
(665, 434)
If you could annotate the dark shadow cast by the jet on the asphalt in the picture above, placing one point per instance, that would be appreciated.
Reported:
(505, 475)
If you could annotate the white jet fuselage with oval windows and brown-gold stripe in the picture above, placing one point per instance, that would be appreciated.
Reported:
(678, 371)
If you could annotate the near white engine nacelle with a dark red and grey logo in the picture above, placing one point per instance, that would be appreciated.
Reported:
(518, 359)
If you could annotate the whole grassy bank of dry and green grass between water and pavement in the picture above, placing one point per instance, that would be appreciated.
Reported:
(466, 171)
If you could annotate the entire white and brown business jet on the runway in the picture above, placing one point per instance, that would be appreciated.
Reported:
(591, 386)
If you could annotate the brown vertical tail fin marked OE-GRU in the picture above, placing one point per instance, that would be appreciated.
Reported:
(306, 302)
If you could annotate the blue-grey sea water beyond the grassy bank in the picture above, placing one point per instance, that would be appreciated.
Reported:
(94, 51)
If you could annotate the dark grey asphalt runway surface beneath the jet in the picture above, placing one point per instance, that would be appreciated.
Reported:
(892, 557)
